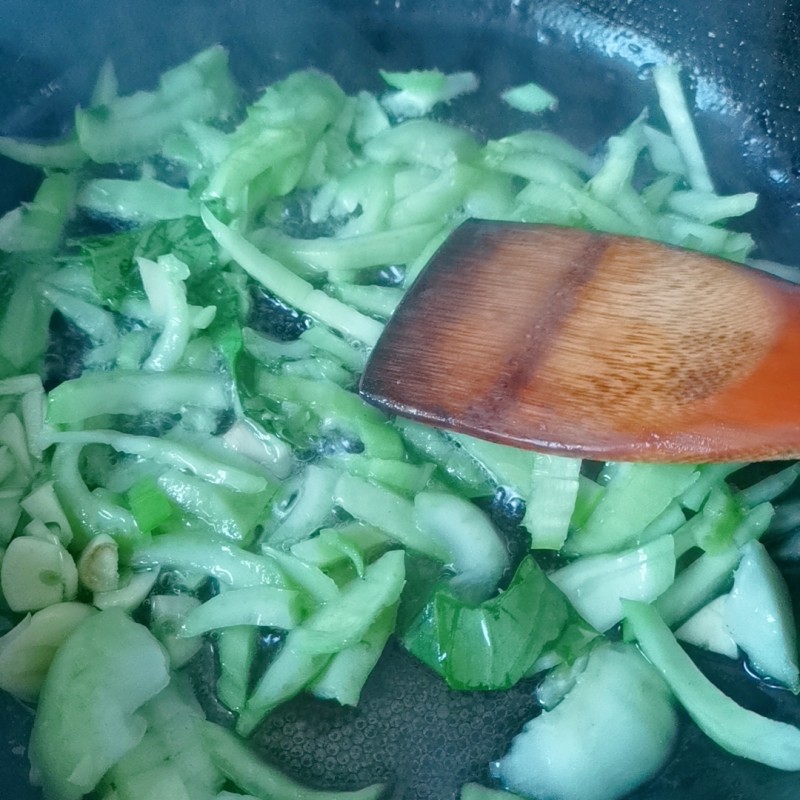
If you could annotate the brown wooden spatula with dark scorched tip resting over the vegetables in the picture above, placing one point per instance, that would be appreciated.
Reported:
(592, 345)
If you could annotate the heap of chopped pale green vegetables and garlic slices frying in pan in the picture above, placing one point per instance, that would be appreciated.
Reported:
(182, 448)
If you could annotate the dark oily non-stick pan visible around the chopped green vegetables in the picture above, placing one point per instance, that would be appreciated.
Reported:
(742, 60)
